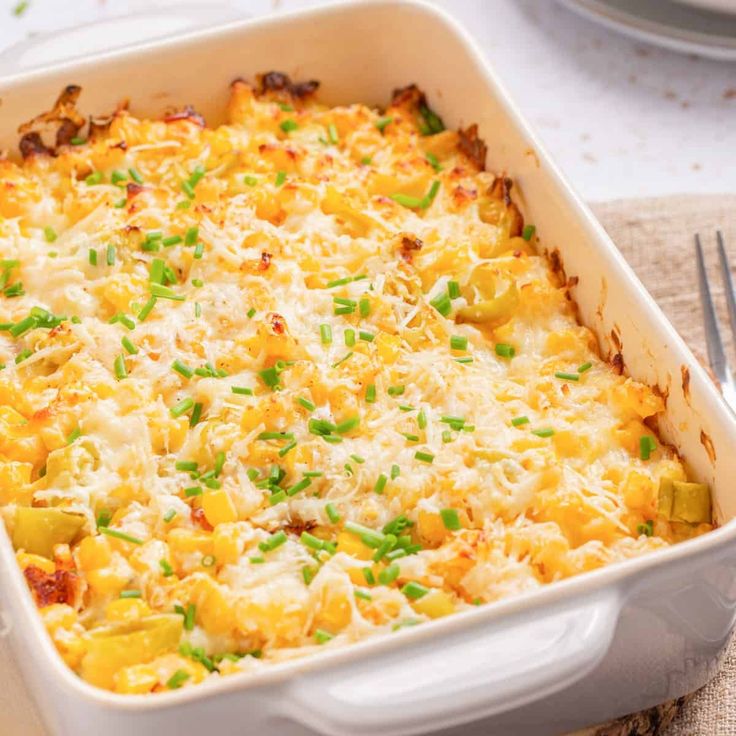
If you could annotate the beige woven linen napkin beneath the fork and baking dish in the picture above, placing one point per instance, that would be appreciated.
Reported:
(656, 238)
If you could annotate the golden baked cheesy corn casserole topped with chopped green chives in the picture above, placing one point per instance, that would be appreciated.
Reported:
(317, 271)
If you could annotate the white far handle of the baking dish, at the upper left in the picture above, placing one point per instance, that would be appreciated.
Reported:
(111, 34)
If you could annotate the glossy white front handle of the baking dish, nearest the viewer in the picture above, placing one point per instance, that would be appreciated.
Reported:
(470, 673)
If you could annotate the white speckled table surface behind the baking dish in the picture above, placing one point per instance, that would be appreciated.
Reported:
(623, 119)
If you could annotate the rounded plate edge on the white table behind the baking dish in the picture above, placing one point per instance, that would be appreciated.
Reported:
(670, 24)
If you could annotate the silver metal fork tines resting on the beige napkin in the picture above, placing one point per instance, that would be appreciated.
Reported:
(716, 352)
